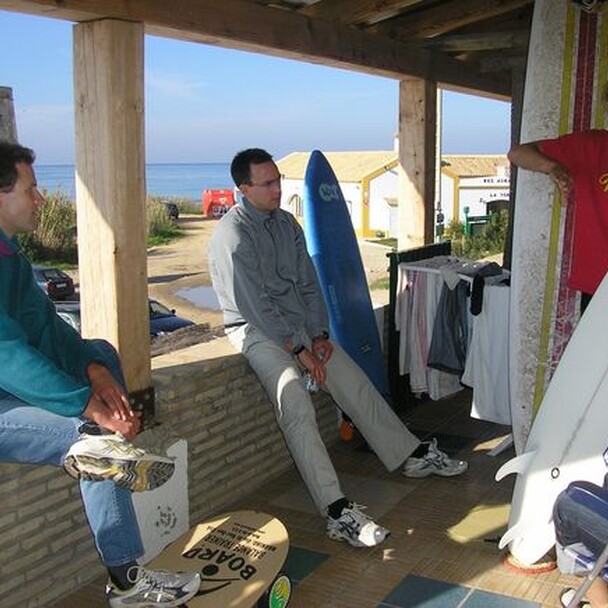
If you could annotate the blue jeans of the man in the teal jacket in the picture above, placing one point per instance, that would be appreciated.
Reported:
(35, 436)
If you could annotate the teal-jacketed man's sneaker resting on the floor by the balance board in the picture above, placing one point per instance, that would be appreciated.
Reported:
(154, 588)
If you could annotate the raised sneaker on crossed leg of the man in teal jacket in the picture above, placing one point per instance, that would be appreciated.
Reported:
(98, 457)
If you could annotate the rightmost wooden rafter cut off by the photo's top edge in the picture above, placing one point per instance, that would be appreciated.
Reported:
(445, 17)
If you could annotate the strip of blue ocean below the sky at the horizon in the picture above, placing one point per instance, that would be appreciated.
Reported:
(180, 180)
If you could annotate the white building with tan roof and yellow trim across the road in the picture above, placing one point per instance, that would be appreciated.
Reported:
(369, 183)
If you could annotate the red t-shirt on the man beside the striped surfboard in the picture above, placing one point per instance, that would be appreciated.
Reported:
(585, 155)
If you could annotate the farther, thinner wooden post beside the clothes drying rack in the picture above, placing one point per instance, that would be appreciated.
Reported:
(417, 162)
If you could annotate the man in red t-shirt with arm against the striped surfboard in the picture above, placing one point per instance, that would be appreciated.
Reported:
(578, 165)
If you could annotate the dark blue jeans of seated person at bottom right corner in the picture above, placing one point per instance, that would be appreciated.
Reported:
(576, 522)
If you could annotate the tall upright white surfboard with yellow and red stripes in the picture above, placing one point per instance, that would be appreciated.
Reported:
(565, 78)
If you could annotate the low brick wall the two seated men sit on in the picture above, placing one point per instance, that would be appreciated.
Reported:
(205, 394)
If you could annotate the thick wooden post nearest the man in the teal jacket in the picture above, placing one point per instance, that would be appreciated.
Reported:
(110, 190)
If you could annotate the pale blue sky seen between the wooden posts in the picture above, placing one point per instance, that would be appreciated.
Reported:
(203, 103)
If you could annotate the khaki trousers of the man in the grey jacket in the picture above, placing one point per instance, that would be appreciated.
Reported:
(350, 388)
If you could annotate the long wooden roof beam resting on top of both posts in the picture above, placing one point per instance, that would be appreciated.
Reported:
(245, 25)
